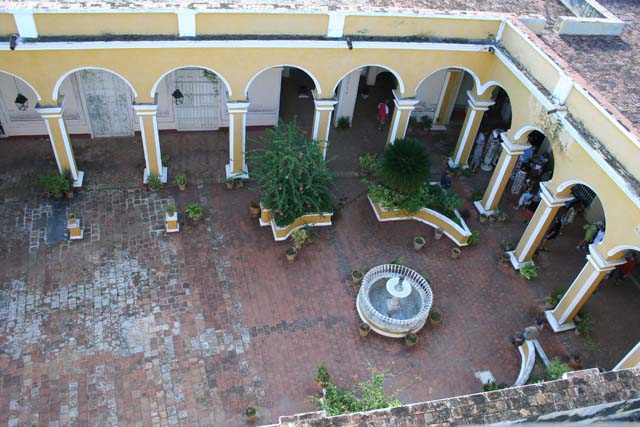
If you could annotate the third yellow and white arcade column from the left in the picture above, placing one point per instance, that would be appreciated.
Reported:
(237, 166)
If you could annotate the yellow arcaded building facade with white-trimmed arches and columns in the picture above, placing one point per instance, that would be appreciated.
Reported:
(143, 46)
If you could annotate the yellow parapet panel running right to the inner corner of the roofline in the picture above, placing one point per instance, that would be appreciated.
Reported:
(397, 26)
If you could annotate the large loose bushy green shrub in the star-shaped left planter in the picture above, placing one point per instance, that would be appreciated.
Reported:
(292, 175)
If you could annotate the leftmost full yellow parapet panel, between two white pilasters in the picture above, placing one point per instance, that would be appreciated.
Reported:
(82, 24)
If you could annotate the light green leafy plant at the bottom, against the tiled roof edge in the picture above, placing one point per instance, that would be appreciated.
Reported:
(361, 396)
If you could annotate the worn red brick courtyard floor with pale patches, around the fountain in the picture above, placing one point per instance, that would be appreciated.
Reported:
(132, 326)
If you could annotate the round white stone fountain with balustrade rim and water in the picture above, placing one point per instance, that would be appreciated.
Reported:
(394, 300)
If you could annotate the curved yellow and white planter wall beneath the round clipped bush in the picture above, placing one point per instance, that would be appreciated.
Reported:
(458, 234)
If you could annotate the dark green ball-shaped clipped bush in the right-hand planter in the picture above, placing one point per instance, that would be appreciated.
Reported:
(405, 166)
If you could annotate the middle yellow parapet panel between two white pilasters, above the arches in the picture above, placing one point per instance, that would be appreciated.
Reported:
(265, 23)
